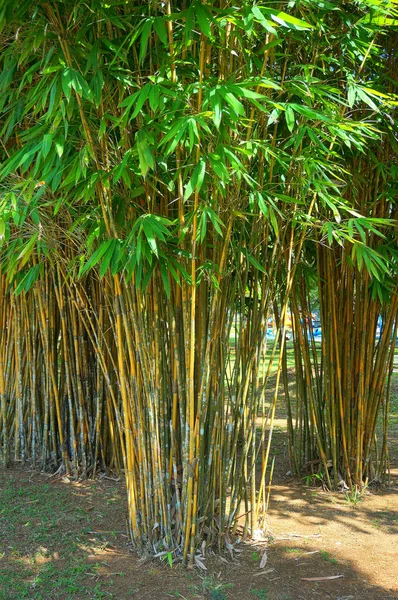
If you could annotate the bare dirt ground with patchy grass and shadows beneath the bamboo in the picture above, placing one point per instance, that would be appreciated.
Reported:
(66, 540)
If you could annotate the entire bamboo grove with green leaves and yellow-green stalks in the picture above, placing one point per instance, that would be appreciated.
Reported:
(171, 174)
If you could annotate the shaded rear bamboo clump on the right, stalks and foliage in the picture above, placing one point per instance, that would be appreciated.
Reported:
(338, 426)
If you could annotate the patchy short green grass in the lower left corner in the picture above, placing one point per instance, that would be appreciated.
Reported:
(36, 563)
